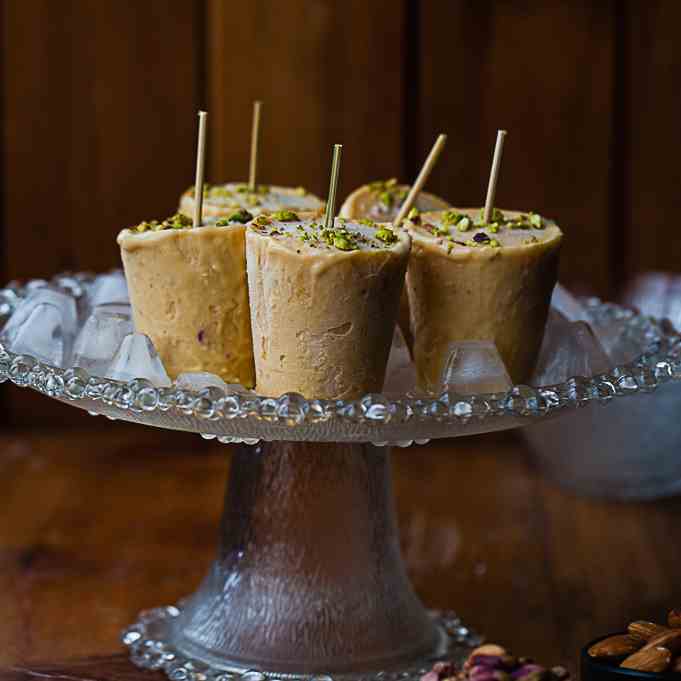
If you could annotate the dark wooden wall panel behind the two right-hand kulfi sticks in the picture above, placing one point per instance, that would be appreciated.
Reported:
(545, 72)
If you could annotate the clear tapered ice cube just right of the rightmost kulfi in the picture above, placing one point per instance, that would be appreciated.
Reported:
(569, 349)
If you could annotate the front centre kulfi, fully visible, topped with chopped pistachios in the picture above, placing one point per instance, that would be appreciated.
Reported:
(324, 304)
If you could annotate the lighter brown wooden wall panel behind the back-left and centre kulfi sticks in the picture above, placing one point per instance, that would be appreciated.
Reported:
(326, 71)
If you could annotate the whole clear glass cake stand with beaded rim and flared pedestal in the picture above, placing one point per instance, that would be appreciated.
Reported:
(309, 580)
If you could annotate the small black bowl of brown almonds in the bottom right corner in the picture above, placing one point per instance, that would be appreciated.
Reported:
(644, 650)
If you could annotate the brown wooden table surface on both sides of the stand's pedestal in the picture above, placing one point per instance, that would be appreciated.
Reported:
(100, 523)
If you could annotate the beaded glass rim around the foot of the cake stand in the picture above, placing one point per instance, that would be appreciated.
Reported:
(149, 648)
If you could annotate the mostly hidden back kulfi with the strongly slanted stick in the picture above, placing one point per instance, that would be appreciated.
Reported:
(382, 201)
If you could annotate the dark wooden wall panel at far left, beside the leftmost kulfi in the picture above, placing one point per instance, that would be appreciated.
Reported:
(99, 129)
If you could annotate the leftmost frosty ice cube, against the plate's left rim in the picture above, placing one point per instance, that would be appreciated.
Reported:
(43, 325)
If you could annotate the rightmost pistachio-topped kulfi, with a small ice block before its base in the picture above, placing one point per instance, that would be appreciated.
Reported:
(473, 281)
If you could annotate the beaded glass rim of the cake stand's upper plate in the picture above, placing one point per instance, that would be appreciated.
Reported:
(658, 363)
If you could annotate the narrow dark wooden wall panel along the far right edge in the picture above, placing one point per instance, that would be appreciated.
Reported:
(652, 106)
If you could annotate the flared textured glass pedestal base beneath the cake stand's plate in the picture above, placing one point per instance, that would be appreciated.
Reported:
(309, 578)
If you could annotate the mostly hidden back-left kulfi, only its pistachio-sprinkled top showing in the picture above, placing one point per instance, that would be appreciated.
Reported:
(223, 199)
